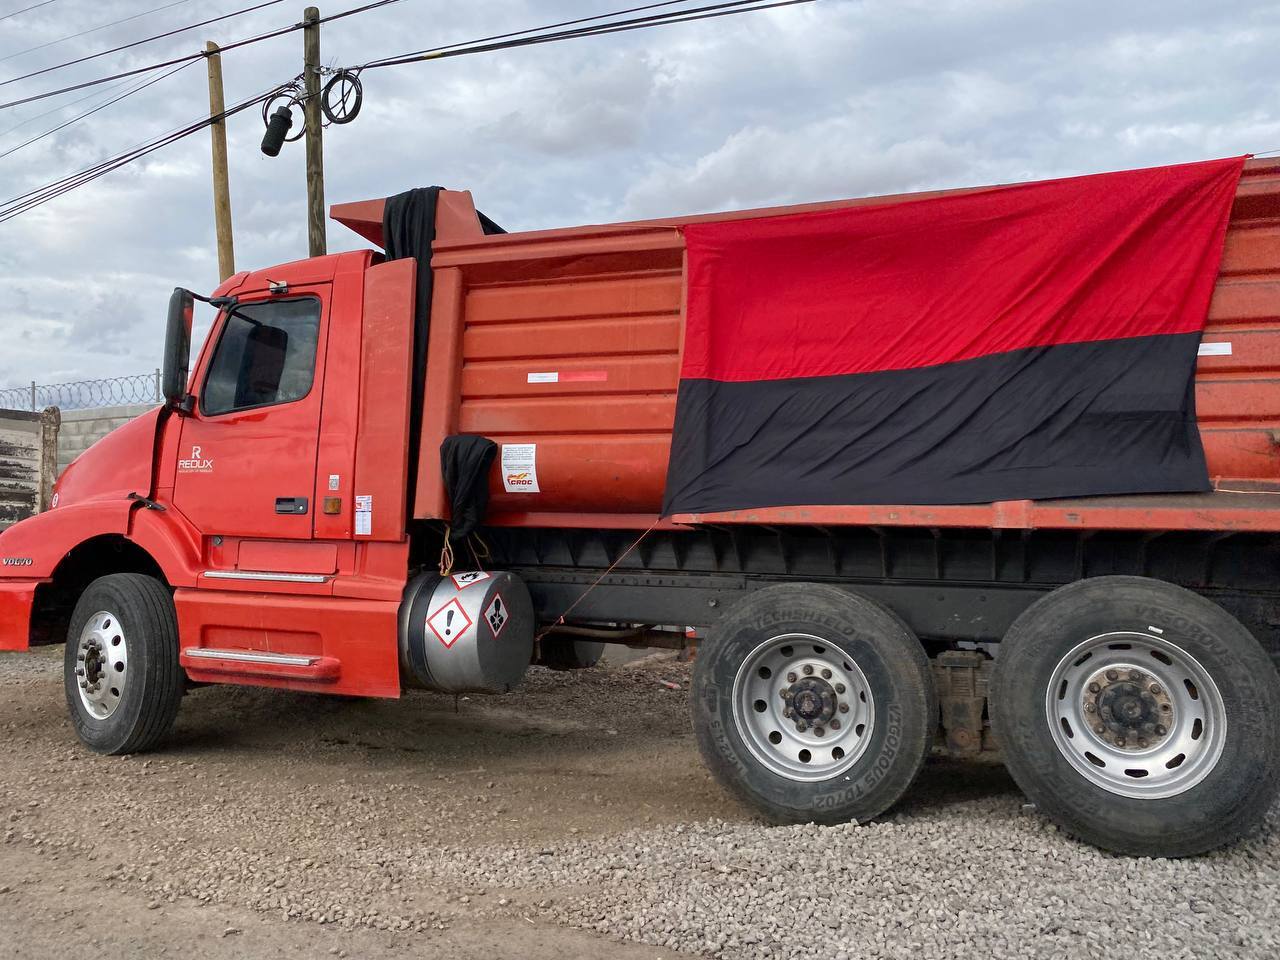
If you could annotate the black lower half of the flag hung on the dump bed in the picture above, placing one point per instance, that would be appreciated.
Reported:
(1069, 420)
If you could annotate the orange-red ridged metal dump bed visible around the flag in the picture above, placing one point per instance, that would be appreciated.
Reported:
(570, 341)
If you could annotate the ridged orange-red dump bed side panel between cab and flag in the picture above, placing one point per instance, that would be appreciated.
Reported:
(587, 368)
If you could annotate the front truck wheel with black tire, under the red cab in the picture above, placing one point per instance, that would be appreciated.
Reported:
(121, 675)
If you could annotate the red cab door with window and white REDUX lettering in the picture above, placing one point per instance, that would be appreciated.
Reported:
(248, 456)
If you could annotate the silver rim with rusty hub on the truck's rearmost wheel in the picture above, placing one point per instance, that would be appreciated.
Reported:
(1136, 715)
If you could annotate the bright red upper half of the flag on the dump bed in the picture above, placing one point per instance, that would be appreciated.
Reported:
(929, 282)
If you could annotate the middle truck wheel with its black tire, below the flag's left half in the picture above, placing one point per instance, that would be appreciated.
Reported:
(856, 725)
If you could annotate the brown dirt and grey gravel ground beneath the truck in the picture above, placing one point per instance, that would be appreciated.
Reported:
(572, 820)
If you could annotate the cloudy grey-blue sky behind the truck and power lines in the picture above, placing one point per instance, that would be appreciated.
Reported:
(833, 99)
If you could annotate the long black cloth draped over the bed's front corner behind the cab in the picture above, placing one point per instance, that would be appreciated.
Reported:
(409, 231)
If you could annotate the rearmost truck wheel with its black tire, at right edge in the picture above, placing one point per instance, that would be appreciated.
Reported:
(1140, 717)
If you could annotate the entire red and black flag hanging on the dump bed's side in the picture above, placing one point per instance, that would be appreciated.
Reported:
(1022, 342)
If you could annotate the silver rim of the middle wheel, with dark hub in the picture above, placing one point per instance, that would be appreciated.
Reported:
(803, 707)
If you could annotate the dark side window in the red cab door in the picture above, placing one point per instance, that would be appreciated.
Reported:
(267, 355)
